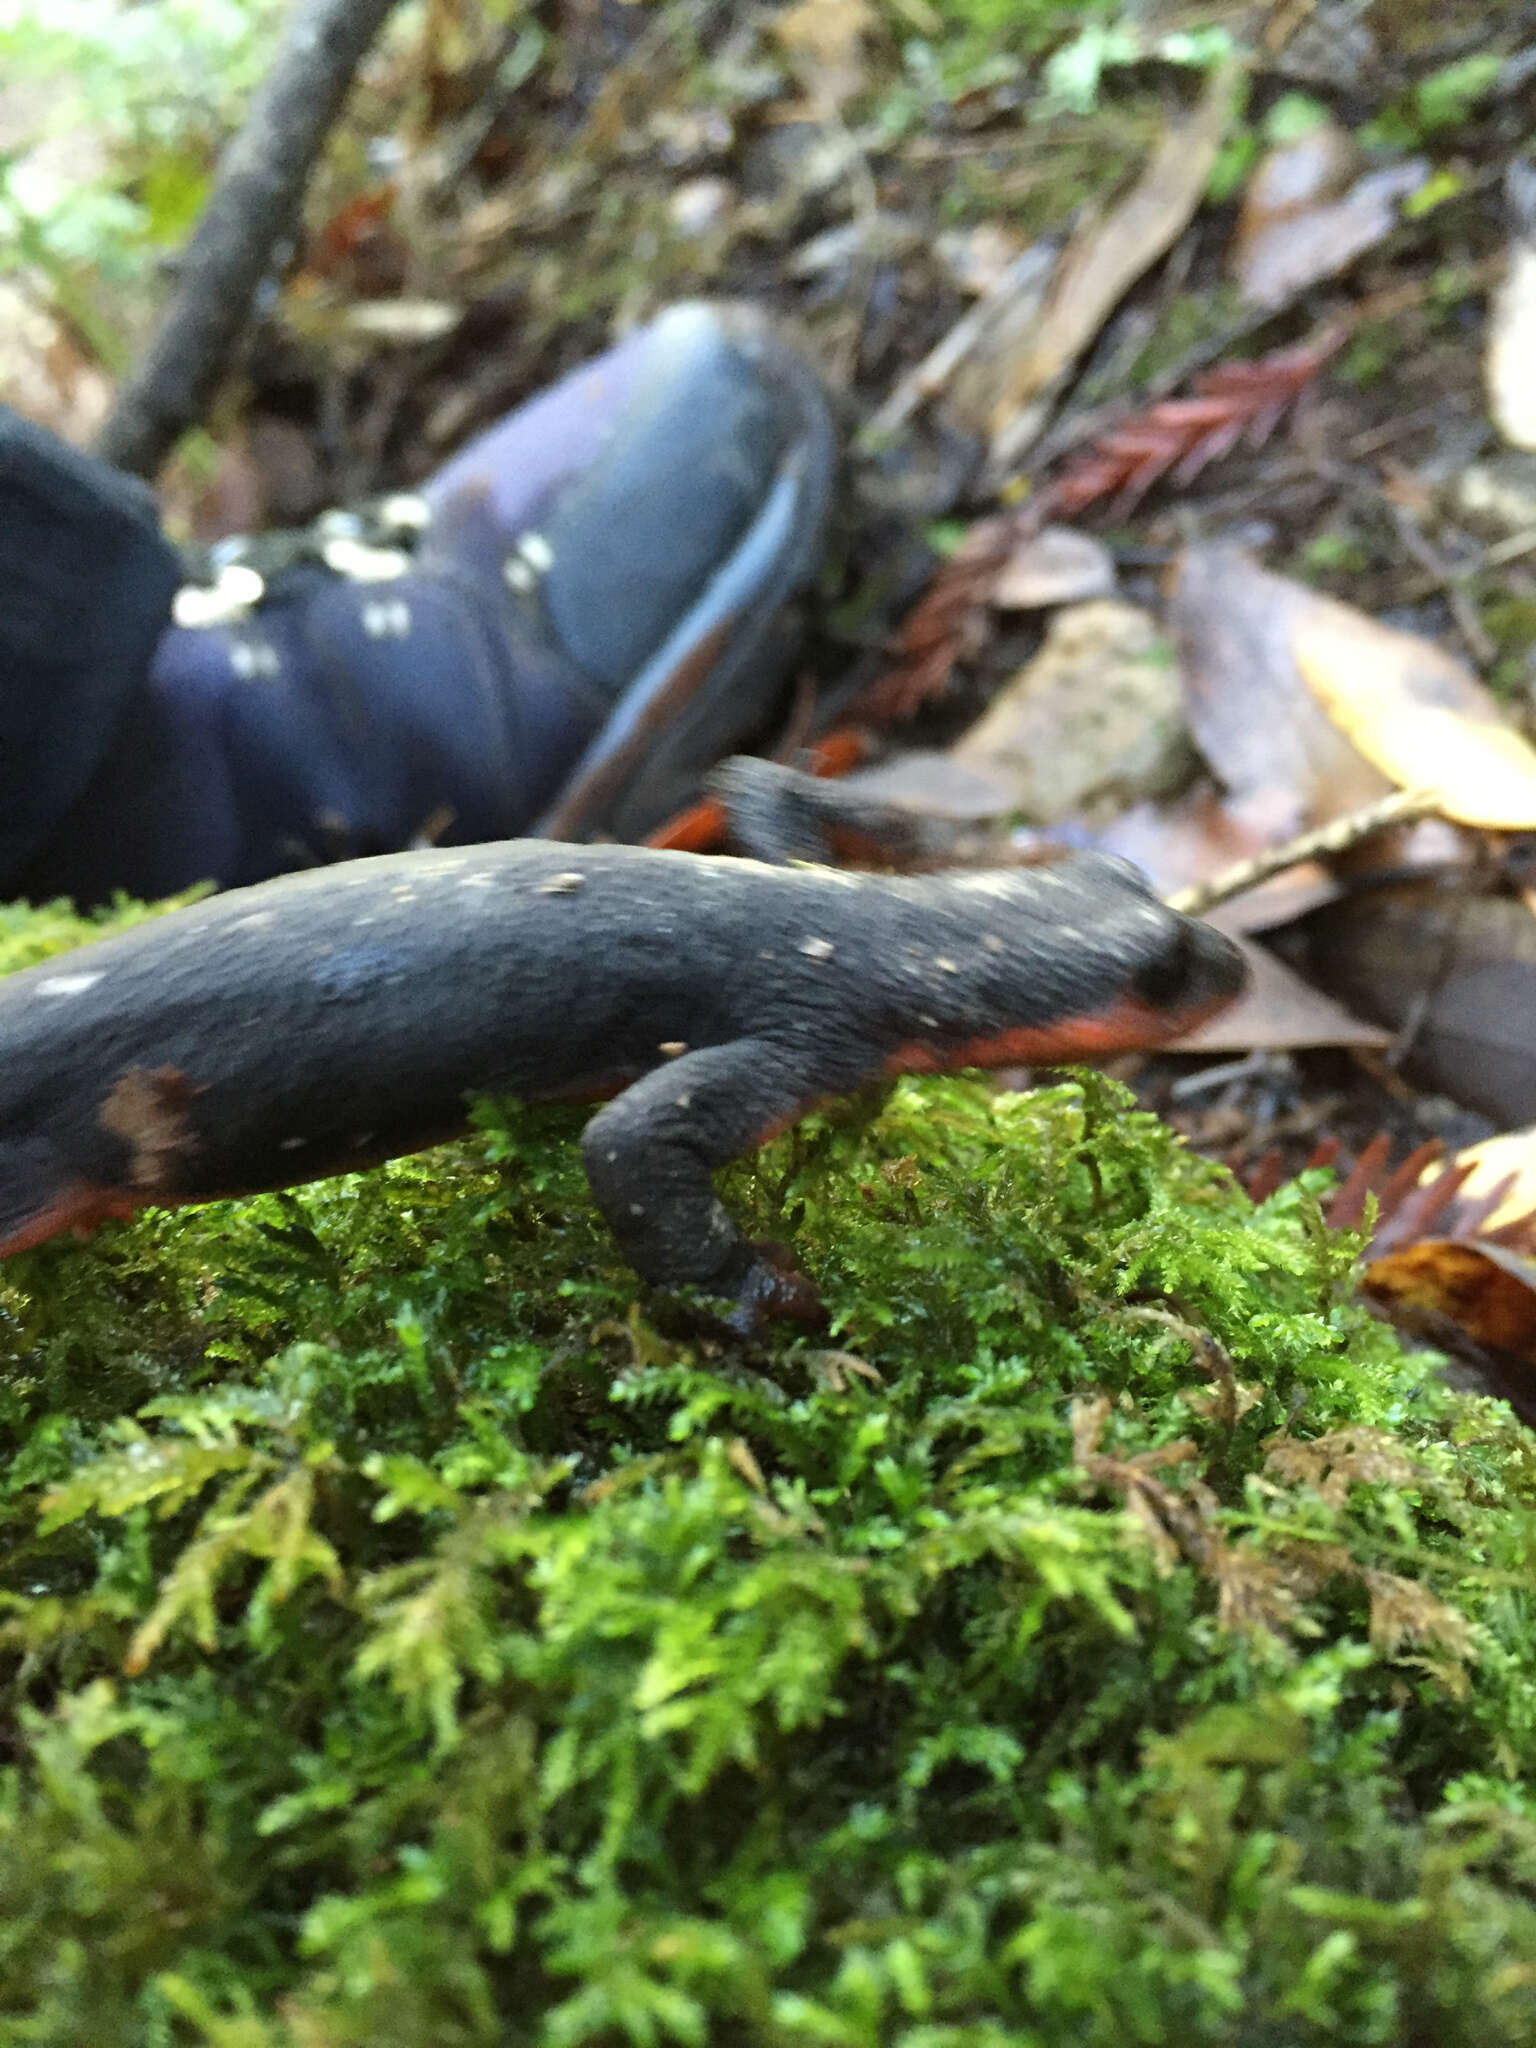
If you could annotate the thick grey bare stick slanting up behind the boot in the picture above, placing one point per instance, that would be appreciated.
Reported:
(255, 200)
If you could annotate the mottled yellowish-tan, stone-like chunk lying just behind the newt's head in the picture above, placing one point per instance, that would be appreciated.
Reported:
(1095, 718)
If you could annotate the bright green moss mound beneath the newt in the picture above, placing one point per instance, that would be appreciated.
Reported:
(411, 1639)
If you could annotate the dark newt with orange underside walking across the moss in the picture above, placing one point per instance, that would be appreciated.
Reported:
(327, 1021)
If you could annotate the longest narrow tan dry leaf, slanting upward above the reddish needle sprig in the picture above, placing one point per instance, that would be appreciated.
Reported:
(1107, 259)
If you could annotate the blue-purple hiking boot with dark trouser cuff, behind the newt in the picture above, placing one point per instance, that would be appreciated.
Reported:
(579, 615)
